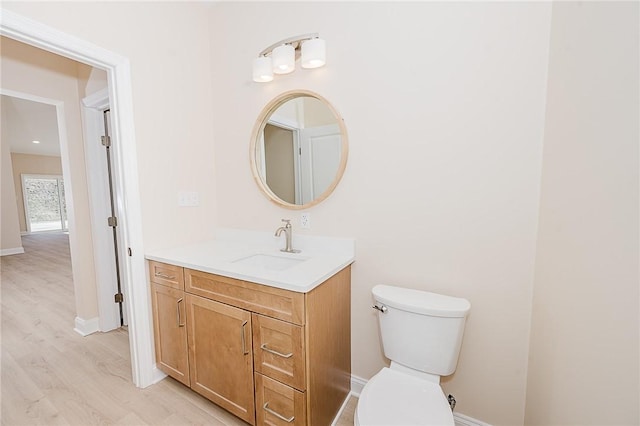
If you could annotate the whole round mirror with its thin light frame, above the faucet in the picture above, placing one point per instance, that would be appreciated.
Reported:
(298, 149)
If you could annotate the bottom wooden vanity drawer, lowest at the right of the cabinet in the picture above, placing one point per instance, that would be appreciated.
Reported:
(278, 404)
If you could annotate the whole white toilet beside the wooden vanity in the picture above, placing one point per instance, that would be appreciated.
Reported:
(421, 335)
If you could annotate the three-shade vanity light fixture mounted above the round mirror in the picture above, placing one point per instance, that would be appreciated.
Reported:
(280, 58)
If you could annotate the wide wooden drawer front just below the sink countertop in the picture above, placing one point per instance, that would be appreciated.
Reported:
(273, 302)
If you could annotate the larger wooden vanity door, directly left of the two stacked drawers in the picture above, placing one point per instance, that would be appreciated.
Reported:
(220, 355)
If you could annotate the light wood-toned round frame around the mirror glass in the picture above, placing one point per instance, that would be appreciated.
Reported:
(258, 129)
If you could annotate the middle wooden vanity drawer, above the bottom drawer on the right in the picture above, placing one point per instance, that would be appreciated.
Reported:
(278, 350)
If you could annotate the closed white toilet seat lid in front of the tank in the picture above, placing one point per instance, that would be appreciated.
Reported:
(396, 398)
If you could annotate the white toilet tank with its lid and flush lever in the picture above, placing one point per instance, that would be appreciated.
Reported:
(421, 330)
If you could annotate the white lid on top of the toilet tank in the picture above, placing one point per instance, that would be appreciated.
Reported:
(421, 302)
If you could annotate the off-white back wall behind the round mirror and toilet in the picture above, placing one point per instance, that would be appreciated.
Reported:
(444, 105)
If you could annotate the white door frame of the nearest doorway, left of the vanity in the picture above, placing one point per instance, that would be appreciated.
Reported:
(25, 30)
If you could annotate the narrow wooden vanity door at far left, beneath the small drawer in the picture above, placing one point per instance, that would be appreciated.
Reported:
(169, 316)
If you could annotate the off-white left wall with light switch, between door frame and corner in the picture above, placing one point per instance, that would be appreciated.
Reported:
(167, 44)
